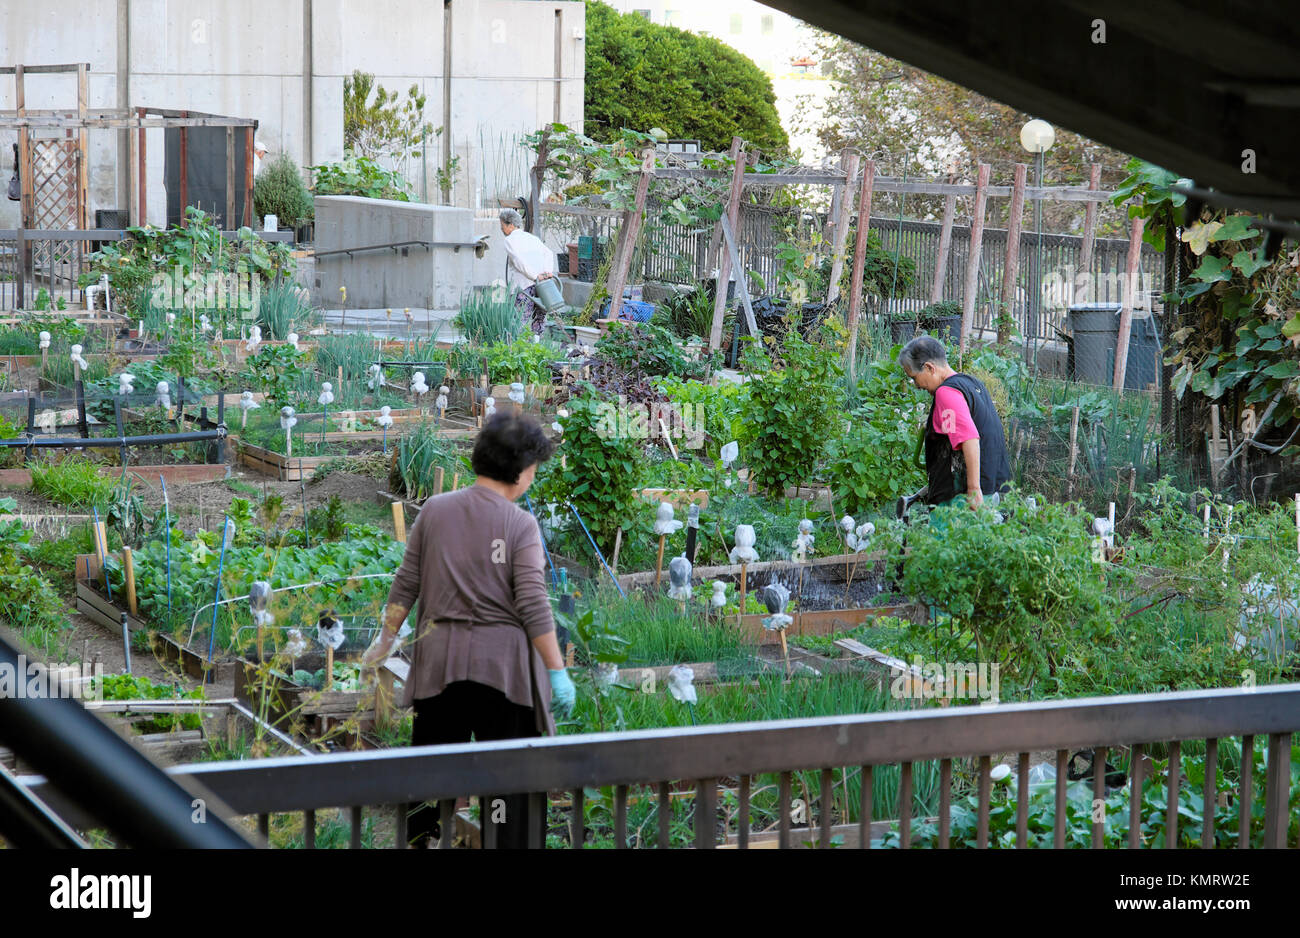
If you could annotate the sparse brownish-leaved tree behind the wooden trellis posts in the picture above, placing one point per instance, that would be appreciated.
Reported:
(913, 121)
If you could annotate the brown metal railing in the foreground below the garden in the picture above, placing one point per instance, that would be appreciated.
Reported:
(707, 757)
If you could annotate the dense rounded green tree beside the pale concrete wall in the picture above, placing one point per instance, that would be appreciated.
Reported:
(643, 76)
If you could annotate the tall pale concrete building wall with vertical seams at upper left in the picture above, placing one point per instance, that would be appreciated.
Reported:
(284, 62)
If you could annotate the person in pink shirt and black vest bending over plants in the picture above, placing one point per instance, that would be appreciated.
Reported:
(965, 445)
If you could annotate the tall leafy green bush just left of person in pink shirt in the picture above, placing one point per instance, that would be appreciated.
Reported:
(792, 412)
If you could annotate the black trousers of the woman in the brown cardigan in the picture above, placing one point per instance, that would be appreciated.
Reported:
(469, 710)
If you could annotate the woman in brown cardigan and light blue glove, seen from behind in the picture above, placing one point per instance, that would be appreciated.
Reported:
(486, 662)
